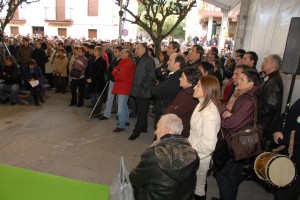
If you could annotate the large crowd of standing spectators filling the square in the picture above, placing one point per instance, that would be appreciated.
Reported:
(194, 94)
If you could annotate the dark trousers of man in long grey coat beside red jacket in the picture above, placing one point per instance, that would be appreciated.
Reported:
(142, 106)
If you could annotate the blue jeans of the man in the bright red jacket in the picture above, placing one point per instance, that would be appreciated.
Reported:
(123, 114)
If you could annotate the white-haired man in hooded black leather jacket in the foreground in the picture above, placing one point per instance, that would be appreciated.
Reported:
(167, 169)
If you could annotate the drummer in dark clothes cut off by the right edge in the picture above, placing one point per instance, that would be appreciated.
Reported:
(290, 192)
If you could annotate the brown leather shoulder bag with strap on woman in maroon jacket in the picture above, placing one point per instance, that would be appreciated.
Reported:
(247, 142)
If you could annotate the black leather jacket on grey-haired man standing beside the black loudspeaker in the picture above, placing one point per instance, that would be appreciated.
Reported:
(269, 97)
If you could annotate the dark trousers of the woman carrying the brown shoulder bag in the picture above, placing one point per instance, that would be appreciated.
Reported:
(228, 179)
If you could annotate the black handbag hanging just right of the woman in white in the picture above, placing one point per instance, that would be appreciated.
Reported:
(221, 154)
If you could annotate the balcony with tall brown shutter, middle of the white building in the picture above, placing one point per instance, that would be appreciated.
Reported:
(58, 15)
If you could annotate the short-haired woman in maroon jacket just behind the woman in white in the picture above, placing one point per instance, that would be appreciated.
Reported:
(184, 103)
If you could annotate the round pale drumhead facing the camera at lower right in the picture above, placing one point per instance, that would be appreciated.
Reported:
(281, 171)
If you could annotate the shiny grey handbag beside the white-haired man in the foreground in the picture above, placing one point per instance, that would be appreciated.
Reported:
(121, 188)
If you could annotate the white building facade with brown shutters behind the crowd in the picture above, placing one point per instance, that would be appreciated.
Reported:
(76, 18)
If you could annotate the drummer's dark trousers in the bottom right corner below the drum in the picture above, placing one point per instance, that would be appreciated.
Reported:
(289, 193)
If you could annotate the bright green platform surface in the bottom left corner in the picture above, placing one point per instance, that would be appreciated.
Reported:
(21, 184)
